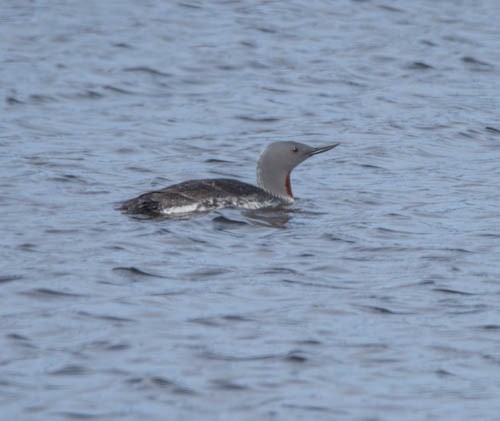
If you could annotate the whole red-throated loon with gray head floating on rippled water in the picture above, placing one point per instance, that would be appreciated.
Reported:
(273, 178)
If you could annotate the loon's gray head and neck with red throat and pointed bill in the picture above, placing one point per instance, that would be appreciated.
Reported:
(277, 162)
